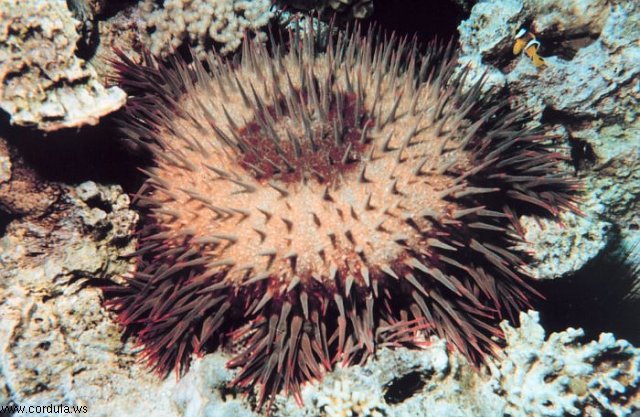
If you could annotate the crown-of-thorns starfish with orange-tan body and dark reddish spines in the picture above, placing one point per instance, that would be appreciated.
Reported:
(311, 206)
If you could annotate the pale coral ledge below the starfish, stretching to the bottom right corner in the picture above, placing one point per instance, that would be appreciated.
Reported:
(538, 376)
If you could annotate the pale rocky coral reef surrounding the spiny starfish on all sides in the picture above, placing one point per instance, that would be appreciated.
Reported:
(60, 242)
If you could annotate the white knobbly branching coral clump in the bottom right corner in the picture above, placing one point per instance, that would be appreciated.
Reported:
(560, 376)
